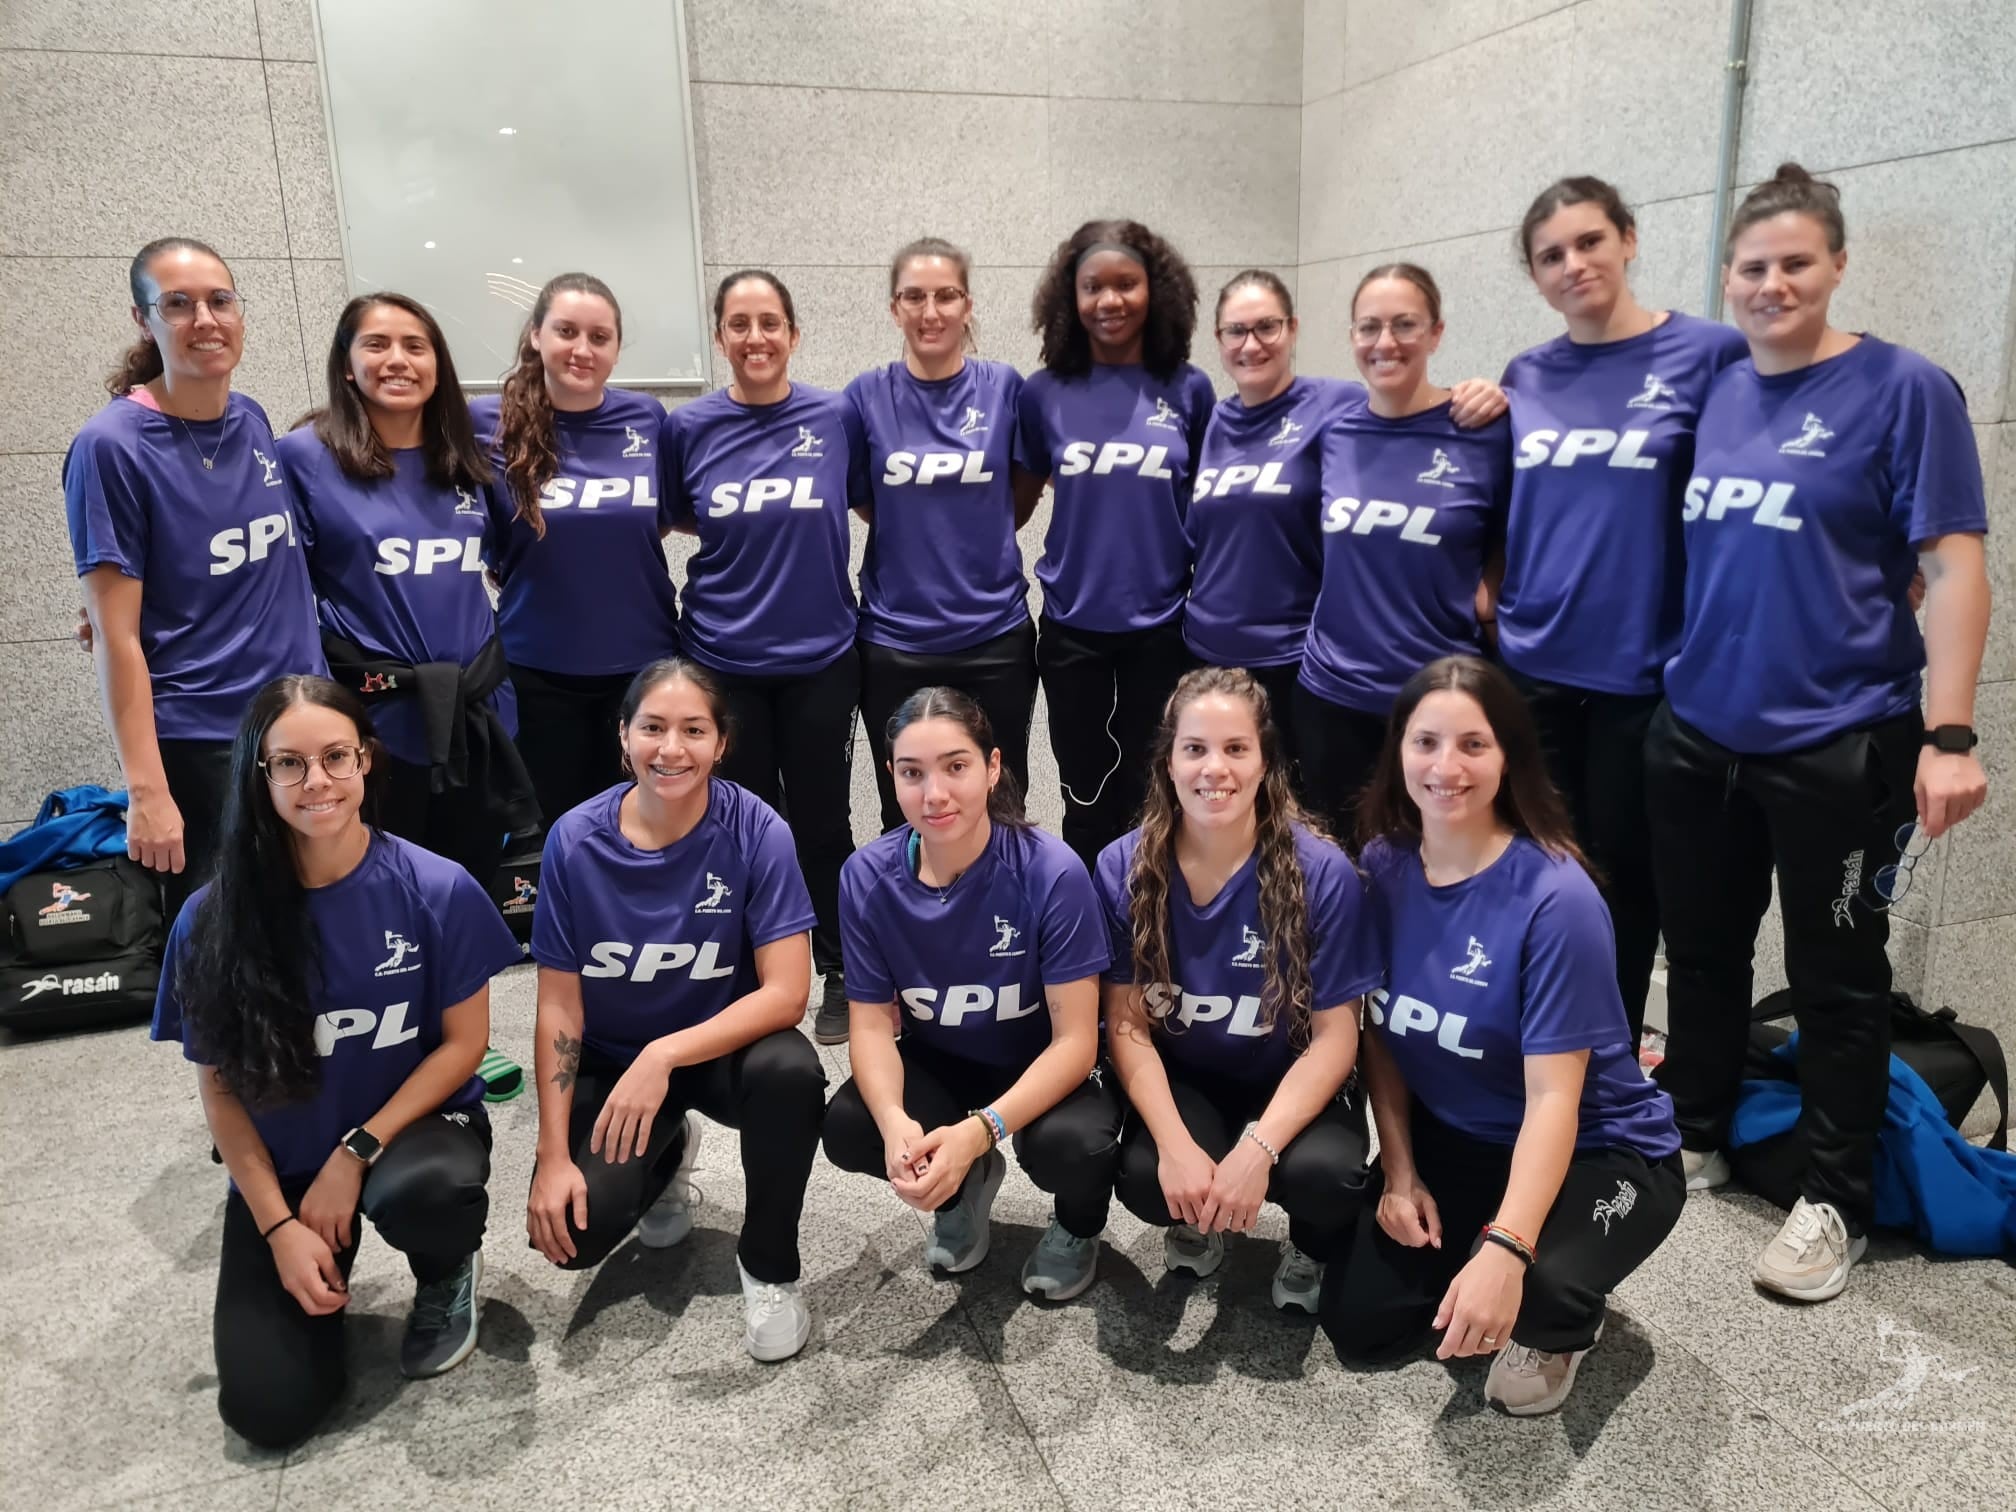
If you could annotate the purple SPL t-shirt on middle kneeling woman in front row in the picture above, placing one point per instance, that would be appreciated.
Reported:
(967, 967)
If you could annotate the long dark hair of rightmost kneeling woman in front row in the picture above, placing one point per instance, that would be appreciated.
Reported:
(1527, 799)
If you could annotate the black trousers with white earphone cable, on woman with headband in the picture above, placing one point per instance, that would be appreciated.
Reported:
(1104, 697)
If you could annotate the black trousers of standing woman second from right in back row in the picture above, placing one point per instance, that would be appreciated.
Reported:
(1596, 753)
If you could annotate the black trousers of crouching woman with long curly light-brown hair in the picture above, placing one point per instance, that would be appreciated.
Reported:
(1319, 1180)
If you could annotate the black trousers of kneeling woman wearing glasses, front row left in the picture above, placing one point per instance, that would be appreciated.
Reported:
(279, 1370)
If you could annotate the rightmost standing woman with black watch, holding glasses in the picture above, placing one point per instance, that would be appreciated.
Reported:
(1791, 745)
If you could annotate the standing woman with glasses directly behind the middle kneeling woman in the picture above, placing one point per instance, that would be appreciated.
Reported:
(942, 592)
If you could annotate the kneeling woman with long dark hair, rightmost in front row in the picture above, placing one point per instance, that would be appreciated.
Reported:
(1527, 1166)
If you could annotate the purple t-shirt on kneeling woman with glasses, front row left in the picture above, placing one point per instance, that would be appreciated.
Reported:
(406, 938)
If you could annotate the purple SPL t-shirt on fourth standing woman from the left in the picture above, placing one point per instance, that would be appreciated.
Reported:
(767, 487)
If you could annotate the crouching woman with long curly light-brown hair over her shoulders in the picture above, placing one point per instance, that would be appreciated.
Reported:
(1247, 942)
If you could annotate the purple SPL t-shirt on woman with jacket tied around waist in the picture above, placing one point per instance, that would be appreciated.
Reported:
(398, 568)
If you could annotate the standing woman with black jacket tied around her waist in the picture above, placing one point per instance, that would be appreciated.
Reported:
(396, 515)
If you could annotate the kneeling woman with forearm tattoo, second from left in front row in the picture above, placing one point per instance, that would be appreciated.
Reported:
(672, 975)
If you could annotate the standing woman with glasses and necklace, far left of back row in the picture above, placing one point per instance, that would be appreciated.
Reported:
(188, 551)
